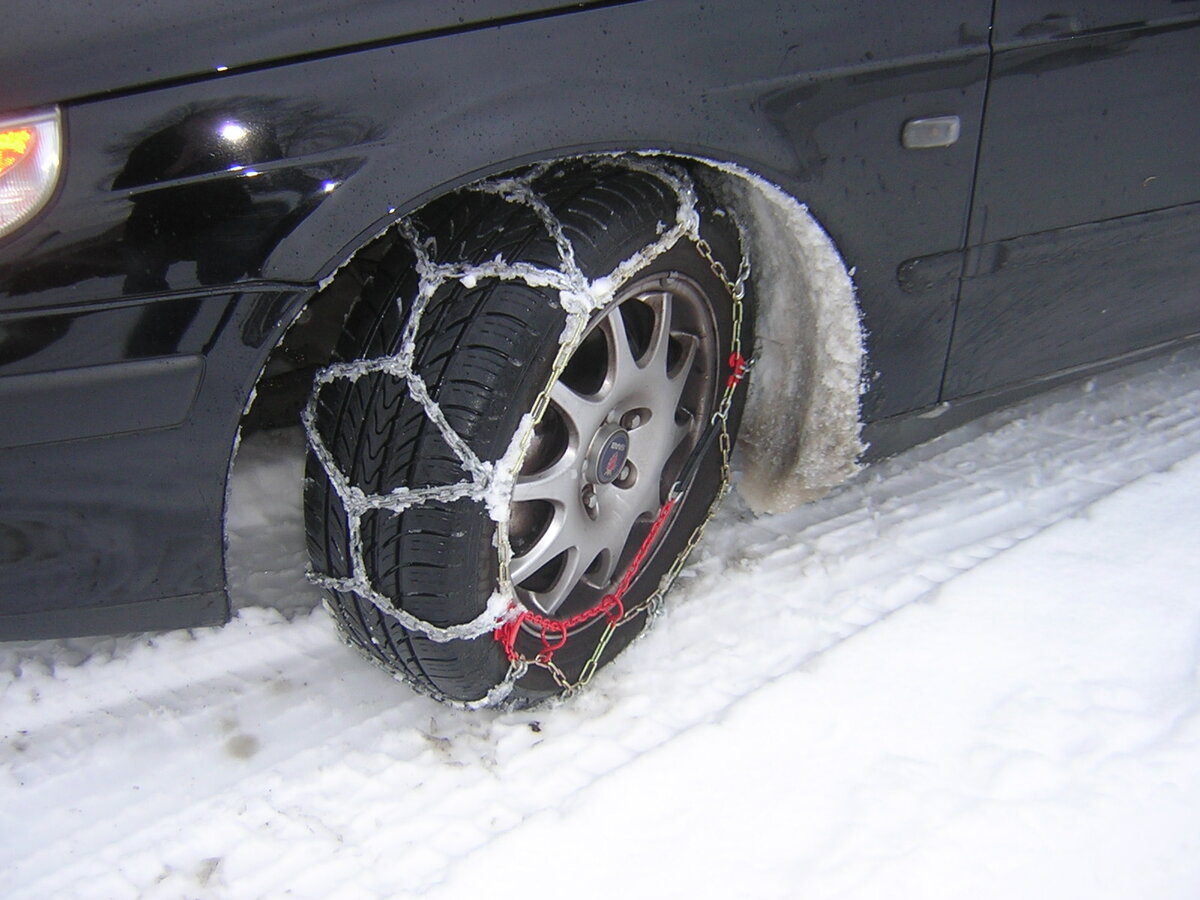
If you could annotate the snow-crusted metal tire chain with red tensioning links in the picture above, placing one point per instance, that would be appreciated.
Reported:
(491, 483)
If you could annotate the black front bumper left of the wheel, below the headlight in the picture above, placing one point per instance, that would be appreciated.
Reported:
(104, 526)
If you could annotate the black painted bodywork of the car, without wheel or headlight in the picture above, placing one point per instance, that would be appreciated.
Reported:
(172, 260)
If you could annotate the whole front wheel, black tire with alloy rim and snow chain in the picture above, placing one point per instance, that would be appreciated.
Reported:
(524, 463)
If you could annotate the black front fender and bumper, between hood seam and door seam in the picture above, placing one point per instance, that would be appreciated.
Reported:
(199, 214)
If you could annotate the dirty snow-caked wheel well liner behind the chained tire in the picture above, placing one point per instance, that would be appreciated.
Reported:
(801, 434)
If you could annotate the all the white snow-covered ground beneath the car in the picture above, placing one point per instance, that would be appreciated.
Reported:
(973, 673)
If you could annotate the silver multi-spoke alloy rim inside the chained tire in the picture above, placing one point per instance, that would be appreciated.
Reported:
(623, 418)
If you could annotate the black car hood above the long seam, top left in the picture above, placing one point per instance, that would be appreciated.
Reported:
(63, 52)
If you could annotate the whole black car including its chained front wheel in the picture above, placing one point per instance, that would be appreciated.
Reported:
(523, 272)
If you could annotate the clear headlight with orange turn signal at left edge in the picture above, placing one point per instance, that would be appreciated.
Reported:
(31, 154)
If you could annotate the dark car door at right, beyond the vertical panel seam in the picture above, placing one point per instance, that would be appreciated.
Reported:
(1087, 214)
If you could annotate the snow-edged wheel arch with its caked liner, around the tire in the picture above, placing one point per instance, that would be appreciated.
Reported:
(802, 425)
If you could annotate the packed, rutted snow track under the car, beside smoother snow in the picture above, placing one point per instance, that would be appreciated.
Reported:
(358, 787)
